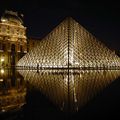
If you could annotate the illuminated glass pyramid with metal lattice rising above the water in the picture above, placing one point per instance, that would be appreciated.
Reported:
(70, 45)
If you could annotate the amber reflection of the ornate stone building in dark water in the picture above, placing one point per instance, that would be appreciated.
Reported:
(12, 90)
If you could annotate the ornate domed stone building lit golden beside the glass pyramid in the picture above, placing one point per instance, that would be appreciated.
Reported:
(13, 41)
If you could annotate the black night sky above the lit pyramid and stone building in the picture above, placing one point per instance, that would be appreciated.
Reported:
(41, 16)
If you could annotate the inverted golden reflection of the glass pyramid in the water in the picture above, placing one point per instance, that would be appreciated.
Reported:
(70, 90)
